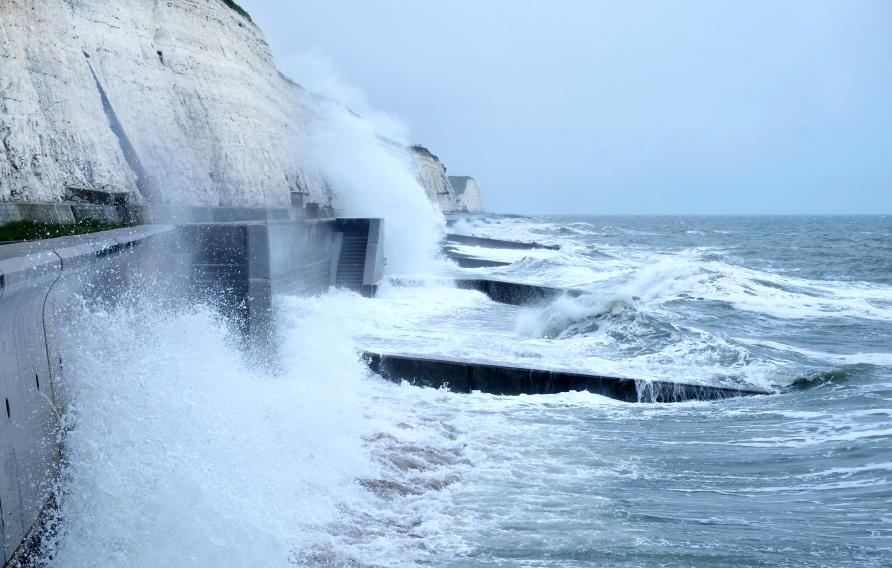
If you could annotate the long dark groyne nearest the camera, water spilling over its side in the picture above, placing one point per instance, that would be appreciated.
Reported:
(465, 377)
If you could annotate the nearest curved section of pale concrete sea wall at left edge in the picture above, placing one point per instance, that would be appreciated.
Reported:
(37, 282)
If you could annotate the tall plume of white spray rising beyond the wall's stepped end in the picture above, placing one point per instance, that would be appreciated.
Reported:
(362, 154)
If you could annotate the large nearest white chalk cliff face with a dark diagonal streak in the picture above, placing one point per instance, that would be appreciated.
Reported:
(177, 99)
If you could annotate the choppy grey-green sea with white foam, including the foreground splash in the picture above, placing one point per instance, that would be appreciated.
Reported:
(182, 452)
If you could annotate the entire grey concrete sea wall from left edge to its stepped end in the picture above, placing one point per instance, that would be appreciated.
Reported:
(238, 267)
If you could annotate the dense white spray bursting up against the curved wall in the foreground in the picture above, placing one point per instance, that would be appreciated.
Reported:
(179, 453)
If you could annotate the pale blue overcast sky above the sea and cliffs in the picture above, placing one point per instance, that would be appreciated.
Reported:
(633, 107)
